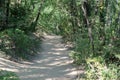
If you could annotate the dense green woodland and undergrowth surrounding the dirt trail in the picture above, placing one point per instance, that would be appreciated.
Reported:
(91, 26)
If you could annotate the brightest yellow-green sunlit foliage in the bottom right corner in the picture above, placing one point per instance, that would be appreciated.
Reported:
(98, 70)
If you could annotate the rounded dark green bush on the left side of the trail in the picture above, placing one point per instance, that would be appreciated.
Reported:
(16, 43)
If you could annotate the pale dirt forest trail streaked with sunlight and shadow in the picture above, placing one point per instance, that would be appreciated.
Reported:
(53, 63)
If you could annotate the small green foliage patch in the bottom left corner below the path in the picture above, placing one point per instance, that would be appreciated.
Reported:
(6, 75)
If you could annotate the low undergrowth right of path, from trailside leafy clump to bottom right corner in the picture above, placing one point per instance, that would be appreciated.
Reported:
(96, 68)
